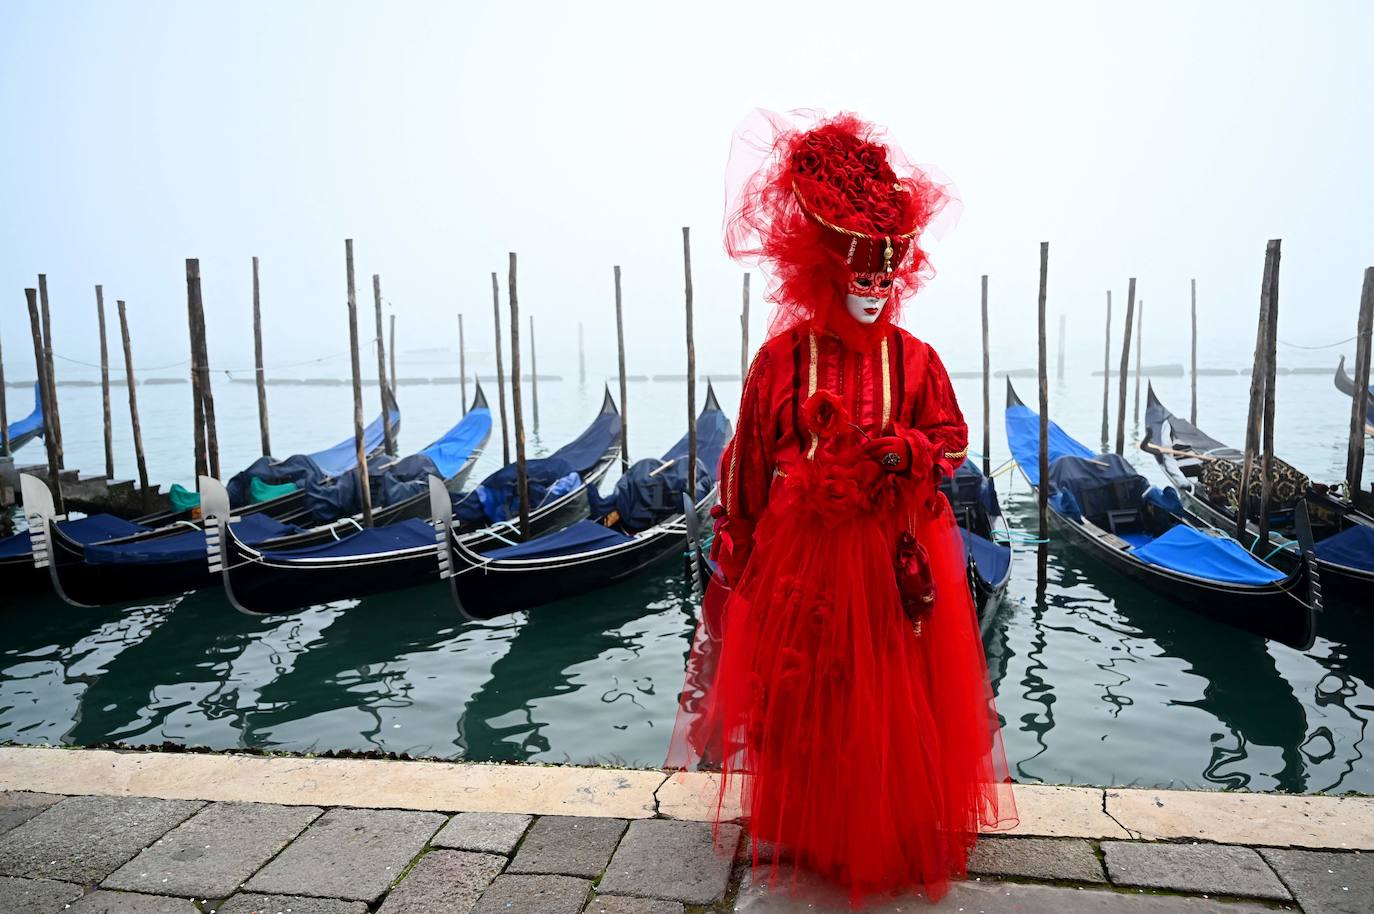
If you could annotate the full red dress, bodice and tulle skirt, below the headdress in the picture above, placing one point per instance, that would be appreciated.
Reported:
(866, 746)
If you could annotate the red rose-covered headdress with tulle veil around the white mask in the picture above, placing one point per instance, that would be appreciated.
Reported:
(818, 201)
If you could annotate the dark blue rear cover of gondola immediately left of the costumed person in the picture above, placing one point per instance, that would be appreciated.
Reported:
(649, 493)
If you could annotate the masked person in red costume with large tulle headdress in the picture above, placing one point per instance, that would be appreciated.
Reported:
(839, 678)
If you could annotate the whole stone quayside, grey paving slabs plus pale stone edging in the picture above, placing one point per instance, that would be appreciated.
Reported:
(108, 838)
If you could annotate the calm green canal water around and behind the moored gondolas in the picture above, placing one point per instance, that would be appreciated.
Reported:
(1097, 682)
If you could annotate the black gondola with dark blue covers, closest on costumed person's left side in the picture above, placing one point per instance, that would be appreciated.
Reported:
(638, 526)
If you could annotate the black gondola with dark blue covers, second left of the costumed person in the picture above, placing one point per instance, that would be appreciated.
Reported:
(409, 553)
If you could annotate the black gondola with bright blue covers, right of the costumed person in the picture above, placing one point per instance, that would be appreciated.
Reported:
(1115, 516)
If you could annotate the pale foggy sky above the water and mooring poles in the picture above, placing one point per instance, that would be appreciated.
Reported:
(1164, 142)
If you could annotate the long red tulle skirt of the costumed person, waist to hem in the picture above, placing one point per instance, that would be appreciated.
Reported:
(864, 750)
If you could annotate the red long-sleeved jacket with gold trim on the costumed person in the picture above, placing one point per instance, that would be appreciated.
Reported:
(898, 387)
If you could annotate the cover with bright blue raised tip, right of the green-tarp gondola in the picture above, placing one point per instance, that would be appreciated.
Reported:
(394, 482)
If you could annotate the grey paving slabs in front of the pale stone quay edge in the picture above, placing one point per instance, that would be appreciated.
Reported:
(150, 856)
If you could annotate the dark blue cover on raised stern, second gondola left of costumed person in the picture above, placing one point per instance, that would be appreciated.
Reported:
(497, 500)
